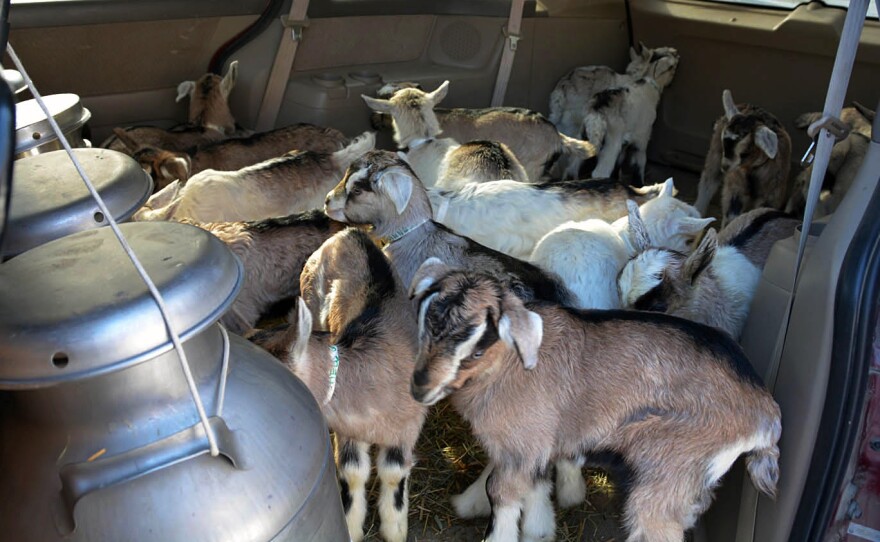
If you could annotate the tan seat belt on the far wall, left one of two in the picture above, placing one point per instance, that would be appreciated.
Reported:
(291, 35)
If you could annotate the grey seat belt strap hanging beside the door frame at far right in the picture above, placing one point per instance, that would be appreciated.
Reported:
(840, 75)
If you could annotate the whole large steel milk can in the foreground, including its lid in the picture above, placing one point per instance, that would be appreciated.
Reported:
(99, 436)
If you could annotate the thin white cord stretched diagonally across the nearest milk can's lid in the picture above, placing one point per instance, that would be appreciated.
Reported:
(160, 302)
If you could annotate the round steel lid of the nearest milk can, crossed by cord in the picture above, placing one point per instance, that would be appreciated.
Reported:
(75, 307)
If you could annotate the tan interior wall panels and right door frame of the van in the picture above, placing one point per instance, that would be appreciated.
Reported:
(125, 59)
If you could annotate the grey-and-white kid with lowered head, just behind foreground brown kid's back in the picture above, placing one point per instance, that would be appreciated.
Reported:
(715, 284)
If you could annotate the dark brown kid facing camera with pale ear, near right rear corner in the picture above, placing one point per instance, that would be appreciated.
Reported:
(749, 157)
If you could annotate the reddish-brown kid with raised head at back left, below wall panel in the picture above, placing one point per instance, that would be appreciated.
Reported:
(209, 117)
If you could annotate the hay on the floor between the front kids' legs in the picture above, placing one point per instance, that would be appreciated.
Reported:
(449, 459)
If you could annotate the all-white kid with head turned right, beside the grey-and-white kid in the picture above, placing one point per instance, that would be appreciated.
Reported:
(589, 255)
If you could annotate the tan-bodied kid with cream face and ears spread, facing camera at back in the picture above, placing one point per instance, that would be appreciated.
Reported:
(531, 137)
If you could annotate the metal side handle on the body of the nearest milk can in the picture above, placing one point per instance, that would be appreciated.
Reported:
(80, 479)
